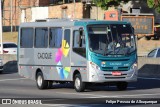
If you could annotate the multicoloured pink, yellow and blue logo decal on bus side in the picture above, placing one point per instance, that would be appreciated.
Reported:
(64, 50)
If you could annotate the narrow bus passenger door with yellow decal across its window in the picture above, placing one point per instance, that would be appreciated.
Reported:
(66, 48)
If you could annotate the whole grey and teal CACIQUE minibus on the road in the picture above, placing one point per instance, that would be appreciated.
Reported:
(80, 52)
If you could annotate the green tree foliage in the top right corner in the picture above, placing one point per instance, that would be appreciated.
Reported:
(155, 4)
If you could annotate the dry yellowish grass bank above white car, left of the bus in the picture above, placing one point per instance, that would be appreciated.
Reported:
(10, 37)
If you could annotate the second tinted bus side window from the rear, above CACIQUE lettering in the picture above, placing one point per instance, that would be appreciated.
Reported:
(41, 37)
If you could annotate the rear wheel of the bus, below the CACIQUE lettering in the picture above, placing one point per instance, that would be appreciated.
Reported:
(41, 83)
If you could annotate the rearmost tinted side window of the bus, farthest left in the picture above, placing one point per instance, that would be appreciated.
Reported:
(26, 40)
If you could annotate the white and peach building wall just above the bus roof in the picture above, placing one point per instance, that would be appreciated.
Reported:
(30, 14)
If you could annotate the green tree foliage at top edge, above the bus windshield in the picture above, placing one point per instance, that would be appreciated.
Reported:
(104, 4)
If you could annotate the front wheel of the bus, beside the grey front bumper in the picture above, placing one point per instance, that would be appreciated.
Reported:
(79, 86)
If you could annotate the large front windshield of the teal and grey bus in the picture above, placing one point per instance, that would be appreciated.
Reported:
(114, 39)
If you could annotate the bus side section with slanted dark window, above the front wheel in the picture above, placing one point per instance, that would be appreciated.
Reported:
(78, 53)
